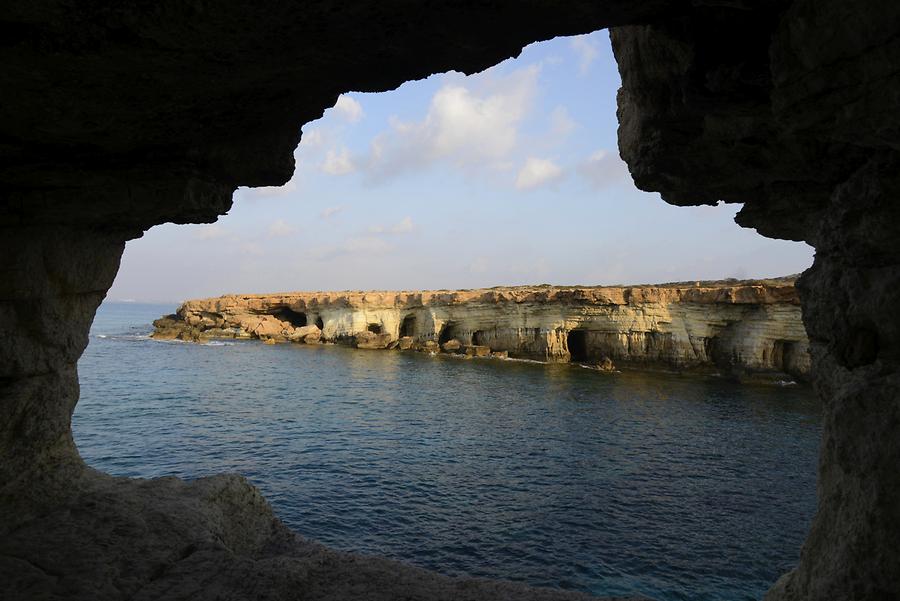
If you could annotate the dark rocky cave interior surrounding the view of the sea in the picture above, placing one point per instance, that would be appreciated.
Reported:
(116, 119)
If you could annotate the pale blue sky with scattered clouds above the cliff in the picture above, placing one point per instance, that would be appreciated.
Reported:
(510, 176)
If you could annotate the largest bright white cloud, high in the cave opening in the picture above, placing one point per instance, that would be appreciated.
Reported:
(469, 125)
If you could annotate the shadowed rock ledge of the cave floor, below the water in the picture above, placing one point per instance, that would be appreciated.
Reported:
(94, 536)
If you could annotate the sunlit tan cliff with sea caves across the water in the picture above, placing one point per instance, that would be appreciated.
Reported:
(739, 327)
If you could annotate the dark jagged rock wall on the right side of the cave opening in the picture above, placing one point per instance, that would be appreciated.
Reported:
(789, 107)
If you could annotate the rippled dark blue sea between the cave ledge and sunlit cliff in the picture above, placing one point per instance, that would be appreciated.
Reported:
(669, 486)
